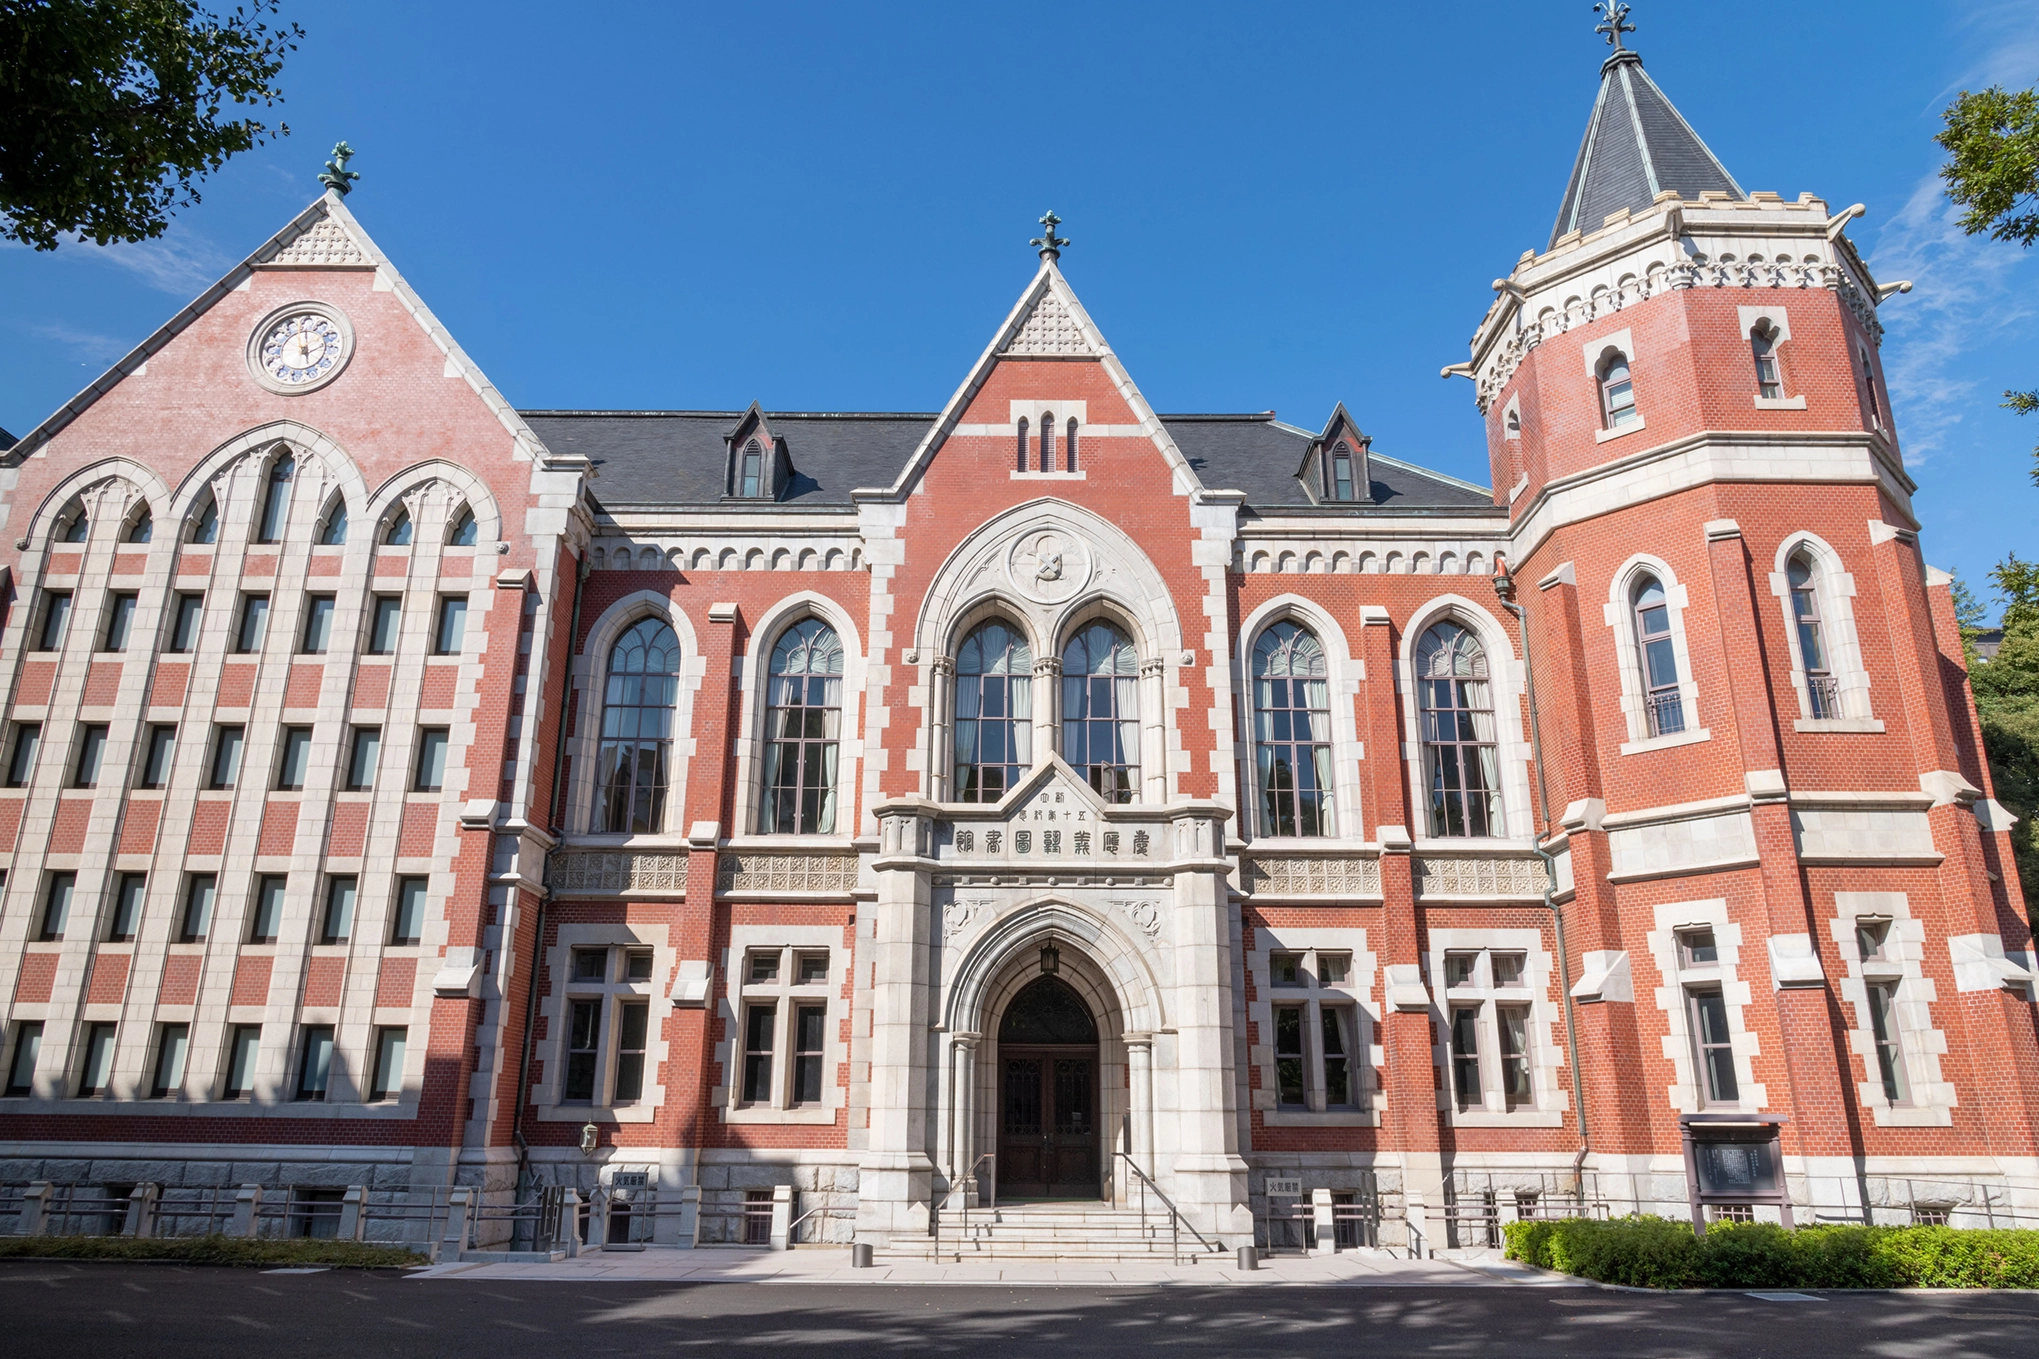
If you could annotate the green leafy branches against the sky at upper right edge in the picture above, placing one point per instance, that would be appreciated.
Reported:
(1993, 174)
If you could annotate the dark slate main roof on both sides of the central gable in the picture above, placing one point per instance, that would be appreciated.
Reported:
(672, 459)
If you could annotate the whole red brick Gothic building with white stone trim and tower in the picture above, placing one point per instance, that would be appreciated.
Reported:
(1033, 800)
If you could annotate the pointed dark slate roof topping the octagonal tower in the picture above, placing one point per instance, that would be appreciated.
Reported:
(1636, 148)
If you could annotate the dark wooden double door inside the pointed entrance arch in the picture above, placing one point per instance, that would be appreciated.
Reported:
(1049, 1136)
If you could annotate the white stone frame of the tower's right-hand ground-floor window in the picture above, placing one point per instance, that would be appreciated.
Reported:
(1920, 1044)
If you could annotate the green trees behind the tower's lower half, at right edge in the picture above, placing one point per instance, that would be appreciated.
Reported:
(2007, 702)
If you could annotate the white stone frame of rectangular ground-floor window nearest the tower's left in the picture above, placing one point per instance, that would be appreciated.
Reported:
(1549, 1099)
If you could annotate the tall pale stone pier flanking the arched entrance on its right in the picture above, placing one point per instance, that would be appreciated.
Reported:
(1206, 1175)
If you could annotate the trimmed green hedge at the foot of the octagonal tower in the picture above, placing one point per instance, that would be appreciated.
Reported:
(1646, 1252)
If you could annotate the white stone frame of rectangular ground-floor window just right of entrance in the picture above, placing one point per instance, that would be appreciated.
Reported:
(1357, 993)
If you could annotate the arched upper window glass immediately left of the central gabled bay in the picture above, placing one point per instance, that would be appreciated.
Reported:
(802, 730)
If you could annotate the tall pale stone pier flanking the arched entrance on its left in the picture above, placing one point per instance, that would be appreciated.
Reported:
(898, 1171)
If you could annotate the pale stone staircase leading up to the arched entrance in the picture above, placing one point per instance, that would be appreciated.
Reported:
(1065, 1230)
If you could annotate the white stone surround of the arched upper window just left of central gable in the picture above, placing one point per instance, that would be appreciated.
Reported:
(753, 712)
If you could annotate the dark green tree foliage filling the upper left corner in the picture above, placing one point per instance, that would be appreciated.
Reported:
(111, 111)
